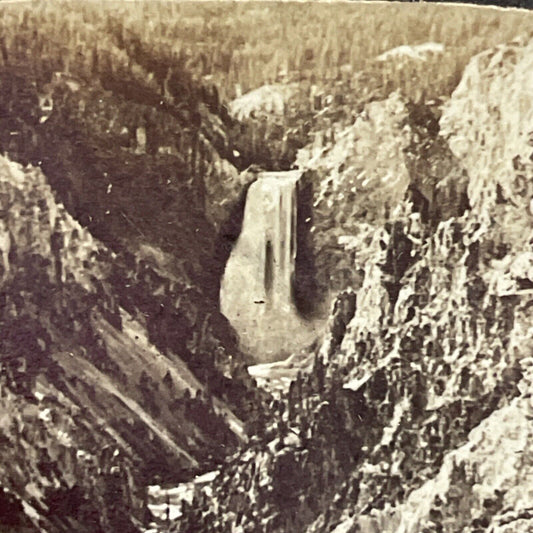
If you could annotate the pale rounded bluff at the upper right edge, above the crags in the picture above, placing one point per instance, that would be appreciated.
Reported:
(492, 102)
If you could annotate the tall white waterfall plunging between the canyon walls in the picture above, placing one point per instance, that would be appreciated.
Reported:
(257, 287)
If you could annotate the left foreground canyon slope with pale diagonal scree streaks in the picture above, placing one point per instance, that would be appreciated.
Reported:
(95, 399)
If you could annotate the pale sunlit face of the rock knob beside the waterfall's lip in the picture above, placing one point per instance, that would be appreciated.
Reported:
(362, 187)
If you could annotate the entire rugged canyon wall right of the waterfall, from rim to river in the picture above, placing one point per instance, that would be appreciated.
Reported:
(423, 383)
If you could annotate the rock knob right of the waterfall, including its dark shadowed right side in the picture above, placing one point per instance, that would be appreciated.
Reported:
(362, 172)
